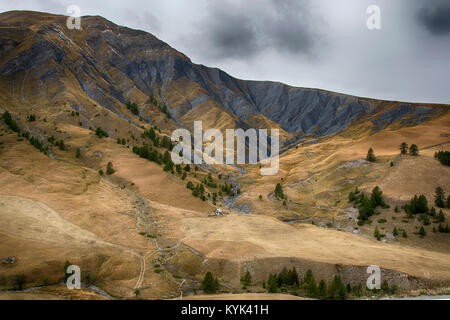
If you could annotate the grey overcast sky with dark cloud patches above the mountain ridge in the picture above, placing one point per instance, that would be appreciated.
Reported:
(307, 43)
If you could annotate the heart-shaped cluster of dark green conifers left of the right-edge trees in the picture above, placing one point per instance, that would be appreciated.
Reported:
(367, 205)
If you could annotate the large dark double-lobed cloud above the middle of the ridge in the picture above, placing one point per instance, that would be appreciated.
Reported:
(245, 28)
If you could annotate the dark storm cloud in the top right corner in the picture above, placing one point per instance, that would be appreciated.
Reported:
(436, 20)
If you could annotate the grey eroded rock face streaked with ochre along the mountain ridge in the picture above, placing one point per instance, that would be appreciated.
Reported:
(108, 61)
